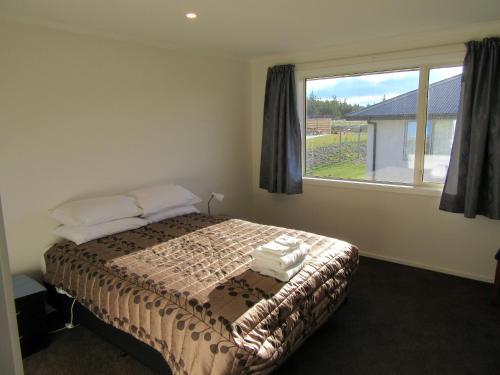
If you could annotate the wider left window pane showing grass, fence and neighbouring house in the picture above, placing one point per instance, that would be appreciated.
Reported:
(362, 127)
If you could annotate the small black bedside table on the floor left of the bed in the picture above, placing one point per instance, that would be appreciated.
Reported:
(29, 298)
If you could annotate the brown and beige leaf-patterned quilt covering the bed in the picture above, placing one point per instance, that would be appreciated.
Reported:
(184, 287)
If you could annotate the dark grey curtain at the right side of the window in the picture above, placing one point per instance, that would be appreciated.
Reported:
(472, 185)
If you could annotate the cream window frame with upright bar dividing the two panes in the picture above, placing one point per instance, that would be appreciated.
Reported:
(424, 61)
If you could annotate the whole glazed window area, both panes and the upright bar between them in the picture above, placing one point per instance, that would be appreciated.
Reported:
(367, 127)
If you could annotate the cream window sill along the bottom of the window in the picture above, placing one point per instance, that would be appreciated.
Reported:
(375, 186)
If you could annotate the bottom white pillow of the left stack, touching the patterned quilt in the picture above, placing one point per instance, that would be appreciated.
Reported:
(82, 234)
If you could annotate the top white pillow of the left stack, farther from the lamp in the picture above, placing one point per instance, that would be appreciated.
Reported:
(96, 210)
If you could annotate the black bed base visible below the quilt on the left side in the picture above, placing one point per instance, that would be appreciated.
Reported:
(145, 354)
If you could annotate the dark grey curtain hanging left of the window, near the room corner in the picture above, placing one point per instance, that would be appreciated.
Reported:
(280, 163)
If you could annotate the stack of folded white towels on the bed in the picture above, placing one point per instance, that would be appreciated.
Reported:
(281, 258)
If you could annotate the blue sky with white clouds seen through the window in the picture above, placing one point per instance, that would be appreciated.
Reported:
(369, 89)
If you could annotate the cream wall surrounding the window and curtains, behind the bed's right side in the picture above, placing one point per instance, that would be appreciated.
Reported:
(392, 225)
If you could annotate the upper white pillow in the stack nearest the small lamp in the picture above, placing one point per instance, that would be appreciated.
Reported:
(160, 197)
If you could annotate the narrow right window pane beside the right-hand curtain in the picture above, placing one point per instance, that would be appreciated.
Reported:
(442, 108)
